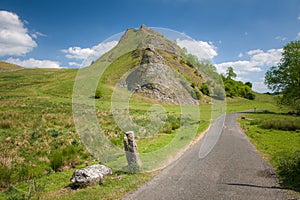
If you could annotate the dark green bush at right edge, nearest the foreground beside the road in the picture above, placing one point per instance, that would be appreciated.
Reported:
(289, 170)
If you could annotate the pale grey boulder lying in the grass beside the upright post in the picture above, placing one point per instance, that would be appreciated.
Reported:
(90, 175)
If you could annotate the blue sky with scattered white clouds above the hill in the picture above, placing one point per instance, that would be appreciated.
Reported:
(246, 34)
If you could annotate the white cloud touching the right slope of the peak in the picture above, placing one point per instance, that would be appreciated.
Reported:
(201, 49)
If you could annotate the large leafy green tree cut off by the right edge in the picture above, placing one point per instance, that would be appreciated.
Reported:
(285, 77)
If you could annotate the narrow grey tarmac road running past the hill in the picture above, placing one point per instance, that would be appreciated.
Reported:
(232, 170)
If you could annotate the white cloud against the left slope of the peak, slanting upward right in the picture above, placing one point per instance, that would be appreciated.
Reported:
(90, 54)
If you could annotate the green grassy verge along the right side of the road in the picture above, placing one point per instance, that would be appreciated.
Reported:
(277, 137)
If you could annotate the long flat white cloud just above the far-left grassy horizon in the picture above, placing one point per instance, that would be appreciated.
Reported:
(33, 63)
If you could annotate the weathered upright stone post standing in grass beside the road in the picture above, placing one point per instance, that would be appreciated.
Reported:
(131, 151)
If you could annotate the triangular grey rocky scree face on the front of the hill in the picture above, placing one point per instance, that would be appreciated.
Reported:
(154, 79)
